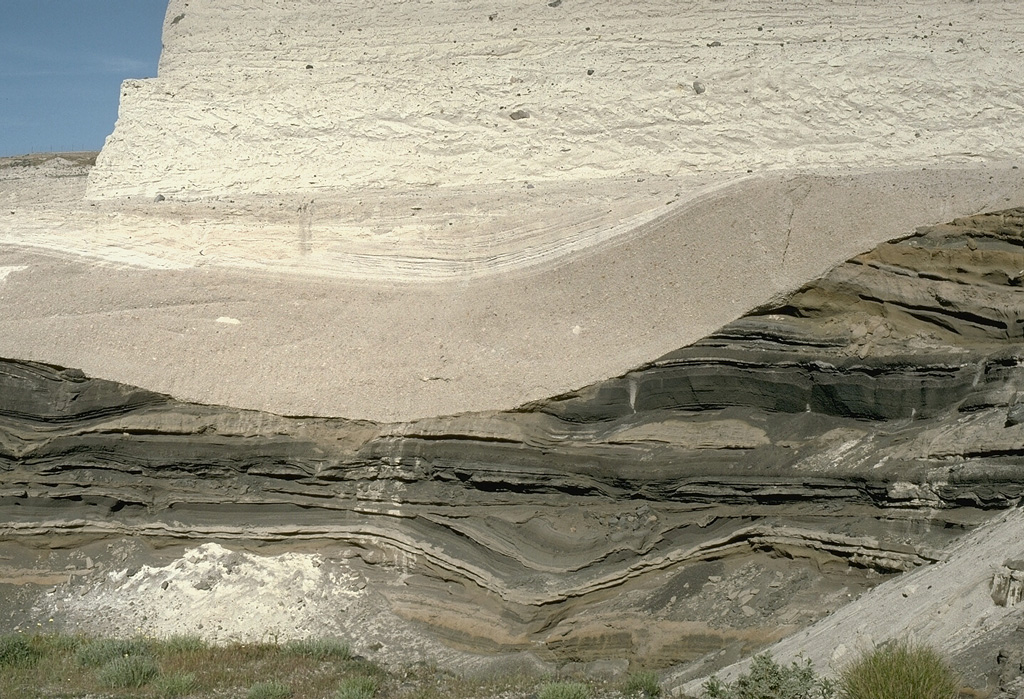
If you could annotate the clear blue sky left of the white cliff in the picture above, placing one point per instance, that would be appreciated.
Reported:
(62, 63)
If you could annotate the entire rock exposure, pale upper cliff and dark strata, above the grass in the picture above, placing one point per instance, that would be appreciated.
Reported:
(418, 229)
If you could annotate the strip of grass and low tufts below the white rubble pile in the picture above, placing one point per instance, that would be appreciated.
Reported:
(186, 668)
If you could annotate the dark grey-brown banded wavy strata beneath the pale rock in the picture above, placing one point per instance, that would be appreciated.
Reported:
(856, 428)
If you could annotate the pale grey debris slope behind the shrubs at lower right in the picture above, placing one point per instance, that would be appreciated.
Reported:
(957, 606)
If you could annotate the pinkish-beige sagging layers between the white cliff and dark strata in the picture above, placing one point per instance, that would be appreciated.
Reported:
(378, 312)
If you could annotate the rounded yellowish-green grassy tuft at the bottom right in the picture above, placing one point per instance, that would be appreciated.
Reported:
(900, 671)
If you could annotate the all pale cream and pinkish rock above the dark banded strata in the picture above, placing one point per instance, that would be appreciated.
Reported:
(375, 237)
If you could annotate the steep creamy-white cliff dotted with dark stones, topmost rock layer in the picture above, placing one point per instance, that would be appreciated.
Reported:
(262, 97)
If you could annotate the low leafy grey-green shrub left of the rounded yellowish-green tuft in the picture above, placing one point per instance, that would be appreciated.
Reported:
(769, 680)
